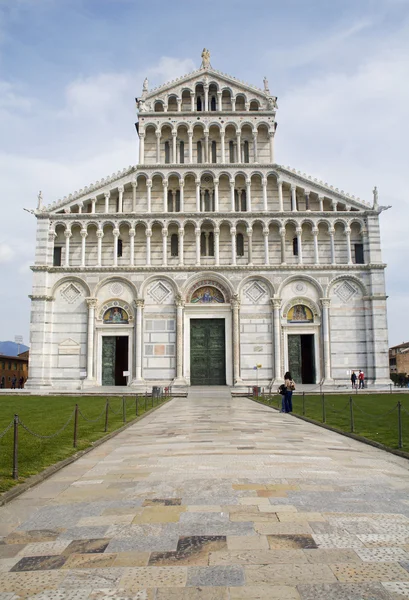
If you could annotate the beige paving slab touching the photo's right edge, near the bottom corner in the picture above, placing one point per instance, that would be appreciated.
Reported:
(370, 572)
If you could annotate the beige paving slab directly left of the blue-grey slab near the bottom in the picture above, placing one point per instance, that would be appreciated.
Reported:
(142, 577)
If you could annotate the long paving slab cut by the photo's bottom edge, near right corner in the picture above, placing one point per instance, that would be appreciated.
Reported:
(343, 591)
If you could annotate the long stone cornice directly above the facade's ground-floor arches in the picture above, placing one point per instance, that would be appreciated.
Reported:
(195, 268)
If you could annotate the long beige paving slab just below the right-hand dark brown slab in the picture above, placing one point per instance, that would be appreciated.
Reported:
(256, 557)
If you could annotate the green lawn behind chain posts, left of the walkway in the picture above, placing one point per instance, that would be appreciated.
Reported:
(47, 415)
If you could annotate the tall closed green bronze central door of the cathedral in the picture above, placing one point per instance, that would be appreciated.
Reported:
(207, 352)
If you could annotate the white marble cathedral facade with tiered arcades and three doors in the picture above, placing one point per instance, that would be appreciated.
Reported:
(207, 263)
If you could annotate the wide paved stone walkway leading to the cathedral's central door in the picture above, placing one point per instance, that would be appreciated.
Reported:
(214, 498)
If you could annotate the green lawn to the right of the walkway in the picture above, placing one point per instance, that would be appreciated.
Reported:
(375, 415)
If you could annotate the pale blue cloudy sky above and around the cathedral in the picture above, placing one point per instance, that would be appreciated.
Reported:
(70, 69)
